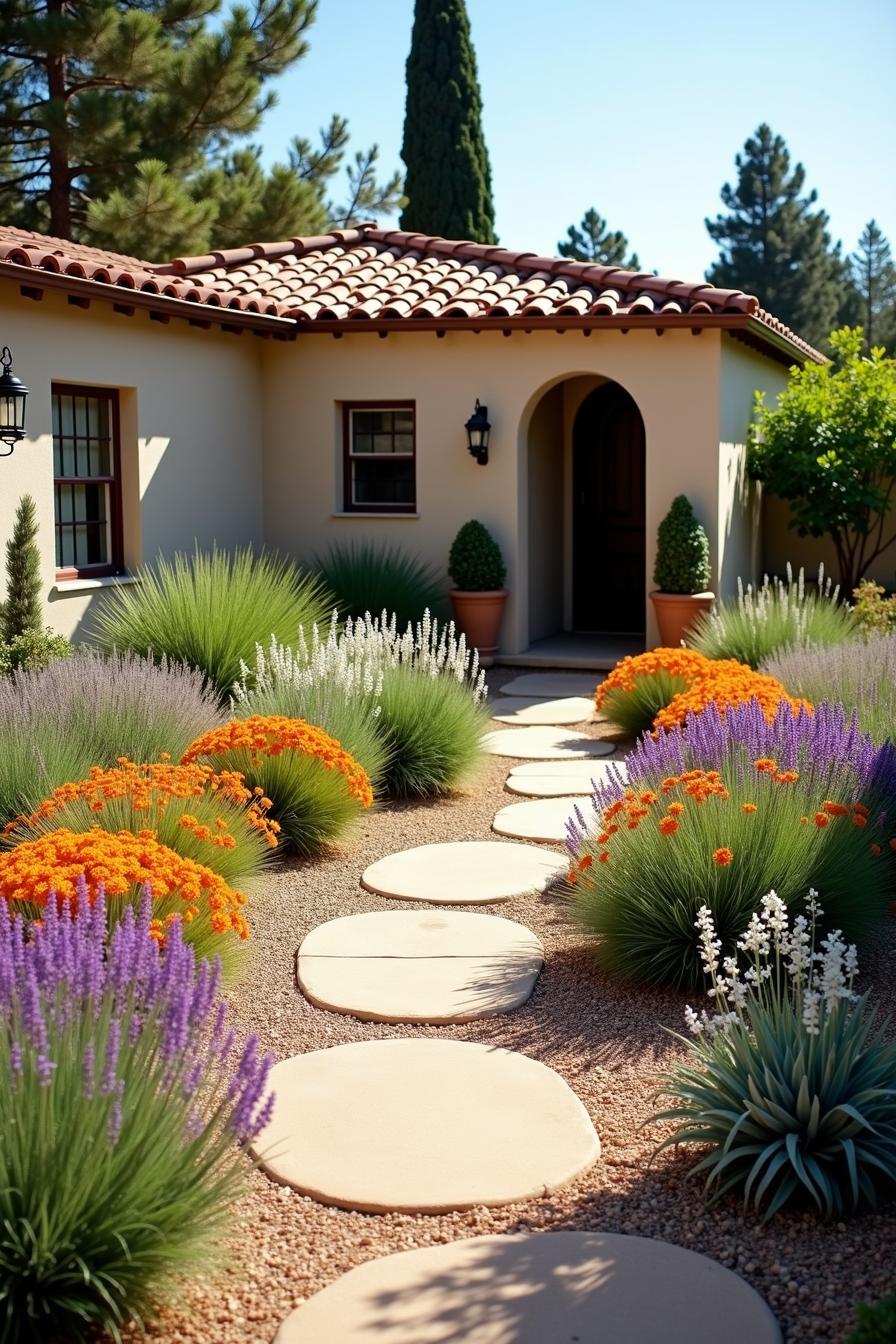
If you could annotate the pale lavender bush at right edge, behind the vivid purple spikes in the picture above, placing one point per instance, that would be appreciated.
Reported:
(862, 674)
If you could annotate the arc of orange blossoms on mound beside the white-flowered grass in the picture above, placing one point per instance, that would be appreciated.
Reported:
(269, 736)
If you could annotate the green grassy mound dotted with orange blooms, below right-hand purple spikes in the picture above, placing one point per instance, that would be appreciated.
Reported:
(663, 847)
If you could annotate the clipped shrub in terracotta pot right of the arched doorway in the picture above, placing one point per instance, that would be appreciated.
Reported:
(682, 573)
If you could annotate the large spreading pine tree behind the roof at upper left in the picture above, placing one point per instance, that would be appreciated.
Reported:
(126, 124)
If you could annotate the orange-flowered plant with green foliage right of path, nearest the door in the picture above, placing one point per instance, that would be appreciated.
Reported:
(658, 690)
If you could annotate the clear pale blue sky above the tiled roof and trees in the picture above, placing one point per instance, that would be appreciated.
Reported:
(636, 108)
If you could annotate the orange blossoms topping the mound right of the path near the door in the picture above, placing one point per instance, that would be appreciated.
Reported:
(723, 682)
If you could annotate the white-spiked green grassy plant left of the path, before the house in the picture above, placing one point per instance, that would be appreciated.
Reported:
(408, 705)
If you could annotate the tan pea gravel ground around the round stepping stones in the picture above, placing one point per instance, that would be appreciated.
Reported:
(607, 1041)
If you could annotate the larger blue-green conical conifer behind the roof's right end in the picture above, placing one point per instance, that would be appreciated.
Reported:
(774, 245)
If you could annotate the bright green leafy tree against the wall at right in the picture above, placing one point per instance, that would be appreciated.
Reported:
(830, 448)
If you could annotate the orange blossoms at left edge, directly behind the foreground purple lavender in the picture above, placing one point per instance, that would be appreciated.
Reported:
(123, 864)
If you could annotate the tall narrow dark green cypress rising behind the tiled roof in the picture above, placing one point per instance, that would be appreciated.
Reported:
(449, 181)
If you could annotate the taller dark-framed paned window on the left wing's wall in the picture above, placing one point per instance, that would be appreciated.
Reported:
(88, 482)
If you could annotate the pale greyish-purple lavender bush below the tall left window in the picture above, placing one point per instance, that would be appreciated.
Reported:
(91, 710)
